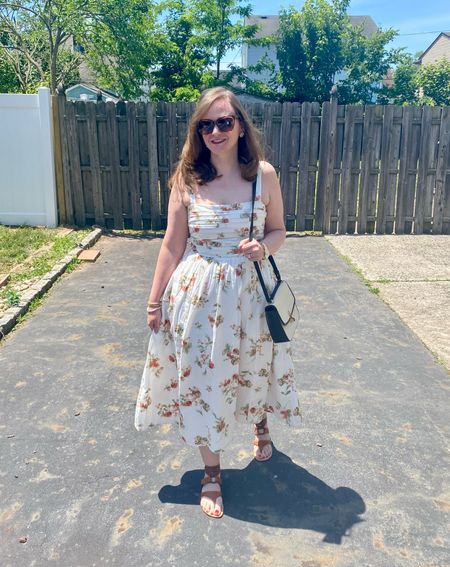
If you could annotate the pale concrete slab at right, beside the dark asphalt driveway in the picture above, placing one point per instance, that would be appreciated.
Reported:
(412, 273)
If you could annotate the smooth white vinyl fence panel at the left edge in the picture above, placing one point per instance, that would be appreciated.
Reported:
(27, 178)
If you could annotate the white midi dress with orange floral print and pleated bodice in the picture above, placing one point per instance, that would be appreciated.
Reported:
(212, 362)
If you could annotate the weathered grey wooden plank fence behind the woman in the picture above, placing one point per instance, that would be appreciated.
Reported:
(342, 169)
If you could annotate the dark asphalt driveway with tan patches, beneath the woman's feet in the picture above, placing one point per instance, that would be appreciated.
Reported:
(364, 482)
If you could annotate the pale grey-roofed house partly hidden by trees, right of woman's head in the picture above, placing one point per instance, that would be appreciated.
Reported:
(268, 25)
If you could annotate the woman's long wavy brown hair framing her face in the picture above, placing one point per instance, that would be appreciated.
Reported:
(195, 167)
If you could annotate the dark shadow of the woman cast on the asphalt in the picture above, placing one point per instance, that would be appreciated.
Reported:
(278, 493)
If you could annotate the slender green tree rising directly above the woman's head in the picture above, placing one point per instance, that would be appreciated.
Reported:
(217, 32)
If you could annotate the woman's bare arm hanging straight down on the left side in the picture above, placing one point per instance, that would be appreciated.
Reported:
(172, 249)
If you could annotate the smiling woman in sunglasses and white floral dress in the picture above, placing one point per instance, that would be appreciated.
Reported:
(211, 361)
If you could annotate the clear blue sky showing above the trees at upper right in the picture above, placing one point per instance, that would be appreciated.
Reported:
(406, 16)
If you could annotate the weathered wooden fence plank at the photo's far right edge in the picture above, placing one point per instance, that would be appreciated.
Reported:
(442, 171)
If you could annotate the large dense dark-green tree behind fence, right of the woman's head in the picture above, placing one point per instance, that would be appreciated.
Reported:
(319, 46)
